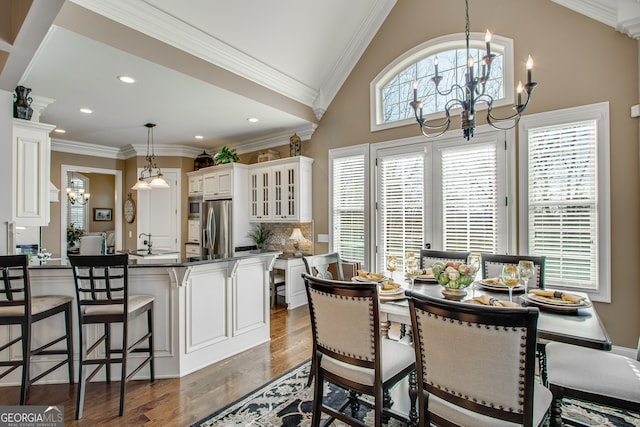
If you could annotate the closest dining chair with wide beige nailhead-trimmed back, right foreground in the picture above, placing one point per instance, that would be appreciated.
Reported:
(476, 364)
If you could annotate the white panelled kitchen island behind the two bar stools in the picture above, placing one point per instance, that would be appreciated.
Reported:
(204, 311)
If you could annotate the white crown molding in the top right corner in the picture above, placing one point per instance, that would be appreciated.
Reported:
(623, 15)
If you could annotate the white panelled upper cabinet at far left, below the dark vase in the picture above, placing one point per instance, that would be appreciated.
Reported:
(31, 147)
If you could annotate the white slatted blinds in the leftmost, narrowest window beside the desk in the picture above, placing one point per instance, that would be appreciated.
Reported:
(348, 207)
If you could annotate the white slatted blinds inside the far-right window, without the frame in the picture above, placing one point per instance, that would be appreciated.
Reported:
(562, 202)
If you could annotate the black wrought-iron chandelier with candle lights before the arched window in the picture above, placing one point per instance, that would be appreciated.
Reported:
(470, 94)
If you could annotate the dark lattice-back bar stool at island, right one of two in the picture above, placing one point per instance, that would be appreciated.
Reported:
(102, 296)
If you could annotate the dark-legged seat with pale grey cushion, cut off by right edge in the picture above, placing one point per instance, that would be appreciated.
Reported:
(602, 377)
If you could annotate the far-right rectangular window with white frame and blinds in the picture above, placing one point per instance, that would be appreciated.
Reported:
(564, 202)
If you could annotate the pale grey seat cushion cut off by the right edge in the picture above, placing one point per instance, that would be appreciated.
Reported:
(593, 371)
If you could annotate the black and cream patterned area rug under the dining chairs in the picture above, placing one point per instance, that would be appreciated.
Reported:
(287, 401)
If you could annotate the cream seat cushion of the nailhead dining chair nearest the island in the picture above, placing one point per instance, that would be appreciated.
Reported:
(395, 357)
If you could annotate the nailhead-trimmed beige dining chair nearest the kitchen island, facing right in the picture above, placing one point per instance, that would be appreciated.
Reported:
(349, 350)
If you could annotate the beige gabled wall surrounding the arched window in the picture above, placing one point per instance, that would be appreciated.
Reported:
(577, 61)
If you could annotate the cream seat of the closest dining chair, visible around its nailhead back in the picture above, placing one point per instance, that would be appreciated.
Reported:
(541, 401)
